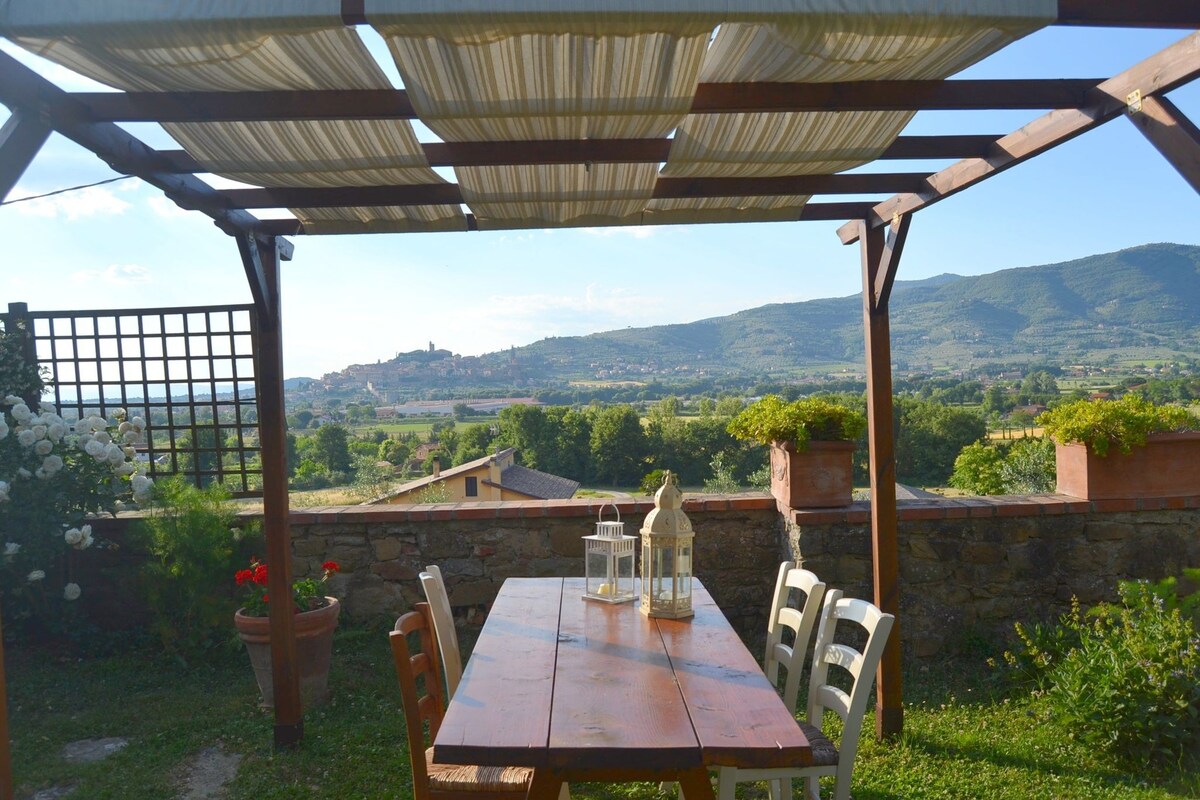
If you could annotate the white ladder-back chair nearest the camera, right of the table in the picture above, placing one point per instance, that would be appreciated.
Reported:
(825, 696)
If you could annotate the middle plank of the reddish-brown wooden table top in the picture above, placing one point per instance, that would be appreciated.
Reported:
(616, 699)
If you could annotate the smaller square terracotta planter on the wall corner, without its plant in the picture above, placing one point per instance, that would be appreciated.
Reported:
(819, 478)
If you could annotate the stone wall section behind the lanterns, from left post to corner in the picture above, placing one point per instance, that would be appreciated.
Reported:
(478, 545)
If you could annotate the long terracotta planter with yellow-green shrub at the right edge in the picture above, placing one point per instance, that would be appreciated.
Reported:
(1125, 449)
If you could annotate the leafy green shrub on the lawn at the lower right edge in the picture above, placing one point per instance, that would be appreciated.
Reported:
(1124, 677)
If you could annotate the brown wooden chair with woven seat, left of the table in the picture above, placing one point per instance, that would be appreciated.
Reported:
(418, 670)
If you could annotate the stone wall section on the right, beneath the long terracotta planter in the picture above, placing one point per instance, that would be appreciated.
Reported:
(971, 567)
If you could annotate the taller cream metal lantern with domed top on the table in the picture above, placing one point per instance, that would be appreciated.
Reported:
(667, 556)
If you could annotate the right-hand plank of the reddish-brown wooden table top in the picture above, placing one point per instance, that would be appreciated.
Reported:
(739, 718)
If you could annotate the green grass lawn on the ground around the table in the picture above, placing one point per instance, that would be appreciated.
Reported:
(962, 739)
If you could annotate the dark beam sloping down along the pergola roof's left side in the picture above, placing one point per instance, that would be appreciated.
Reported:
(22, 89)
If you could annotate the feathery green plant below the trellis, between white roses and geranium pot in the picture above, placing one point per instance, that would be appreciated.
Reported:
(193, 546)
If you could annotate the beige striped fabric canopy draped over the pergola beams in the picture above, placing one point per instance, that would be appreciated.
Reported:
(484, 71)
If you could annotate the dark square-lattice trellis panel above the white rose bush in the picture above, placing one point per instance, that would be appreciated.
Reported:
(189, 372)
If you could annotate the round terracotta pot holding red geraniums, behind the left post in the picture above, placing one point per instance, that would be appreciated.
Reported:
(315, 649)
